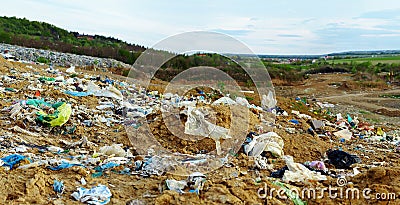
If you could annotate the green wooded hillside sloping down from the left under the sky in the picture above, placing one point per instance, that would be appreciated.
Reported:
(46, 36)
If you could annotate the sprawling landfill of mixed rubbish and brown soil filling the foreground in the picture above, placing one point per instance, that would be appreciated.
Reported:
(69, 137)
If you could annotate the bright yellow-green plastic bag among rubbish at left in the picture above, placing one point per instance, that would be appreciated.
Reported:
(58, 118)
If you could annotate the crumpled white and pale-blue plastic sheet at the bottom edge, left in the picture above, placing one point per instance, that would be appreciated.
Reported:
(96, 195)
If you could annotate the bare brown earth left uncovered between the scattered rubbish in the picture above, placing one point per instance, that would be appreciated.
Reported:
(239, 182)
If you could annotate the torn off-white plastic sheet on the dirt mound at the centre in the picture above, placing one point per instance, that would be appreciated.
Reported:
(197, 125)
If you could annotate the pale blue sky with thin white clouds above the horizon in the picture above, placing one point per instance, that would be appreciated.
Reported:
(266, 27)
